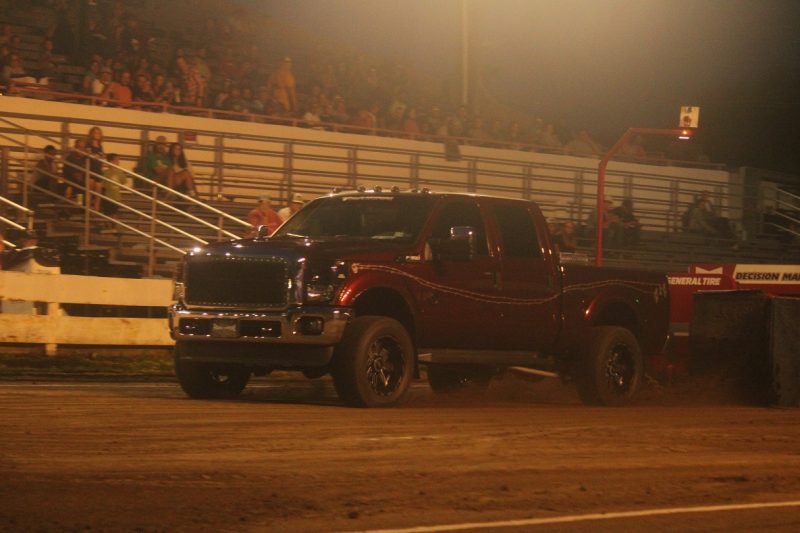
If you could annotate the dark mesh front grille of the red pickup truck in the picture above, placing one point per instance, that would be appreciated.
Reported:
(234, 281)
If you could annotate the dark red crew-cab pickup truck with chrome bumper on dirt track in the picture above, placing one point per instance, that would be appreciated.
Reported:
(369, 285)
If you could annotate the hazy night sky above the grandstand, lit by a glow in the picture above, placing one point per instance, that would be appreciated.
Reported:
(604, 64)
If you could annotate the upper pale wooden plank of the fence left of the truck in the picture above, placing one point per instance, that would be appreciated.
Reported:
(63, 288)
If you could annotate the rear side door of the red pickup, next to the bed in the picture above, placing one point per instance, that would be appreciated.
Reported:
(529, 316)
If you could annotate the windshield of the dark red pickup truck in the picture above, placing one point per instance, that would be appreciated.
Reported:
(374, 216)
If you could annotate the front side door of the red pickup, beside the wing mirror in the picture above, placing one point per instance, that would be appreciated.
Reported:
(458, 298)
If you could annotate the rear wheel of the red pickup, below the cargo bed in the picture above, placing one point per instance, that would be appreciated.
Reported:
(611, 369)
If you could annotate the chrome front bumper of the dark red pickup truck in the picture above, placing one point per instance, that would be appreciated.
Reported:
(278, 327)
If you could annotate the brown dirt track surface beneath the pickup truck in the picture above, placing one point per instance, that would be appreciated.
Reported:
(288, 457)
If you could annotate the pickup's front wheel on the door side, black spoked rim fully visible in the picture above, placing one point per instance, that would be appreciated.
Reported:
(374, 363)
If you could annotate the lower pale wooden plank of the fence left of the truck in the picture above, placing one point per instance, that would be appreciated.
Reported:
(55, 329)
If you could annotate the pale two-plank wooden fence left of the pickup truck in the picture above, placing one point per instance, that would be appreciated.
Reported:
(55, 327)
